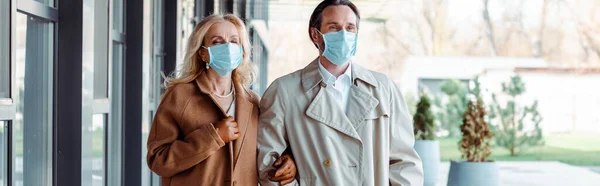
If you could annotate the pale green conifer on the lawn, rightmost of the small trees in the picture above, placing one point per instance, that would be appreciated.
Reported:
(510, 119)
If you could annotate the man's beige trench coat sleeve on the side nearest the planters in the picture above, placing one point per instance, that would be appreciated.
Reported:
(405, 165)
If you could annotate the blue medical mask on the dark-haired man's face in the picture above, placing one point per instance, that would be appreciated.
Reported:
(339, 46)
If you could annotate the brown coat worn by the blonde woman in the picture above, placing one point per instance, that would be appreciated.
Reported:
(184, 147)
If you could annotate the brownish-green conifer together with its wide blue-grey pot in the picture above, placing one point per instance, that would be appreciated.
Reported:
(474, 146)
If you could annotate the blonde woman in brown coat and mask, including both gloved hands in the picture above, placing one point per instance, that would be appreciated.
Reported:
(205, 128)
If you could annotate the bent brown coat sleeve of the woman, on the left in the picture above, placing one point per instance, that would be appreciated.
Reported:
(168, 151)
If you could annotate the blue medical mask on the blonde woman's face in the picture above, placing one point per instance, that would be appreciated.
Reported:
(224, 58)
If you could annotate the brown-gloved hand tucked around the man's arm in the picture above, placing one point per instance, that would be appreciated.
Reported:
(286, 170)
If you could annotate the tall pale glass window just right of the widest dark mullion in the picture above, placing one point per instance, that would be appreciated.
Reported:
(95, 64)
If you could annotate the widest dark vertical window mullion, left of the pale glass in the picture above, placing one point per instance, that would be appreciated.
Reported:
(67, 164)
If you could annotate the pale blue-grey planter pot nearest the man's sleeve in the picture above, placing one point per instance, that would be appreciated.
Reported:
(429, 151)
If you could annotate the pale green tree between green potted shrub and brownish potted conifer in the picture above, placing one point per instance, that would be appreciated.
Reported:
(450, 108)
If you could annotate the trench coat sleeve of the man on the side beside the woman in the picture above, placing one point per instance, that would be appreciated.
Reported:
(272, 136)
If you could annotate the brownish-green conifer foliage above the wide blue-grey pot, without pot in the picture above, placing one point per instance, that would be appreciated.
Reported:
(476, 133)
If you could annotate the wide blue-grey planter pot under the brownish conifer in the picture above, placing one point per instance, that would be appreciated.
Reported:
(463, 173)
